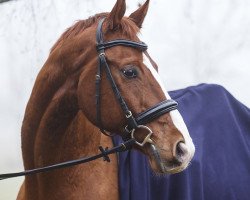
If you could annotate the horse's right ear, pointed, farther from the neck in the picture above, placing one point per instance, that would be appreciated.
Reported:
(139, 15)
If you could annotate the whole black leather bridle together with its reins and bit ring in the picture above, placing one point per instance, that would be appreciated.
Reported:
(133, 123)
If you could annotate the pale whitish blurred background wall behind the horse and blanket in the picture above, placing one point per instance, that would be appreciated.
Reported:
(193, 41)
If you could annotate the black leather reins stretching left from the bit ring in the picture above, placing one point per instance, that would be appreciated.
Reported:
(125, 146)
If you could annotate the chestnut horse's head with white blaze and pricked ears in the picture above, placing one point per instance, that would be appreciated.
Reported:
(136, 79)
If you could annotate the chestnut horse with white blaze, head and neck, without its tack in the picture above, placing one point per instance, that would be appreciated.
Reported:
(60, 121)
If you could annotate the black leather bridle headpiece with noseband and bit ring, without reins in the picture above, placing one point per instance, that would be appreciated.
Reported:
(133, 123)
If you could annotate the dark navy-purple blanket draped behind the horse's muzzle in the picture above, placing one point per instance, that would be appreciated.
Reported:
(220, 169)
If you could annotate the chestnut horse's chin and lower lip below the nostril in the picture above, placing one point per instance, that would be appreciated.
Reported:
(161, 166)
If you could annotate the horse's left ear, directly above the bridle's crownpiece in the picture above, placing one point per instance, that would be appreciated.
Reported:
(115, 16)
